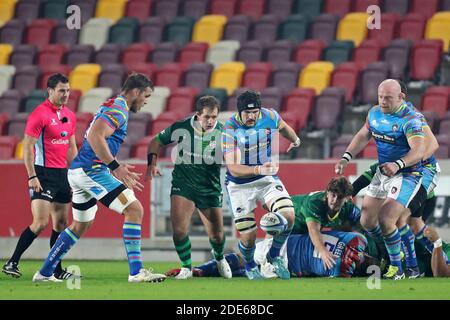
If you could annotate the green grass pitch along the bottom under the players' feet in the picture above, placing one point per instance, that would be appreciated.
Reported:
(108, 280)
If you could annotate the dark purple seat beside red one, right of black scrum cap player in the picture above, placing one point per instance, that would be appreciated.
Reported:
(328, 108)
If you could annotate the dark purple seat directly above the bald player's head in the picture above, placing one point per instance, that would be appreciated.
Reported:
(397, 57)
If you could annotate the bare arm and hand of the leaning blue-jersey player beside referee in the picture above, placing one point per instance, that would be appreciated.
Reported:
(97, 140)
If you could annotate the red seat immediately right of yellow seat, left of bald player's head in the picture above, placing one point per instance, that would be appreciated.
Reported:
(345, 76)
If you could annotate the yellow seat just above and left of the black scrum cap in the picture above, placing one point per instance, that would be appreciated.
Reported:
(228, 76)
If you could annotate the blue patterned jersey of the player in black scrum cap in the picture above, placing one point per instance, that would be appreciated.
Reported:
(255, 143)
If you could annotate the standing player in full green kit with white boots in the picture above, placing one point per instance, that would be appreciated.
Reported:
(195, 180)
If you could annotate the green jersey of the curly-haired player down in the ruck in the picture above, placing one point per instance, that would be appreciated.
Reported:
(314, 207)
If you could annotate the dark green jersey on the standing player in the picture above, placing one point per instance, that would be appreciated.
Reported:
(199, 156)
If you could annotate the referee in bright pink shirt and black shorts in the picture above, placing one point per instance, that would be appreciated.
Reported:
(49, 146)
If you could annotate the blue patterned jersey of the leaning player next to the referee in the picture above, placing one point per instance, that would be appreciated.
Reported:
(114, 113)
